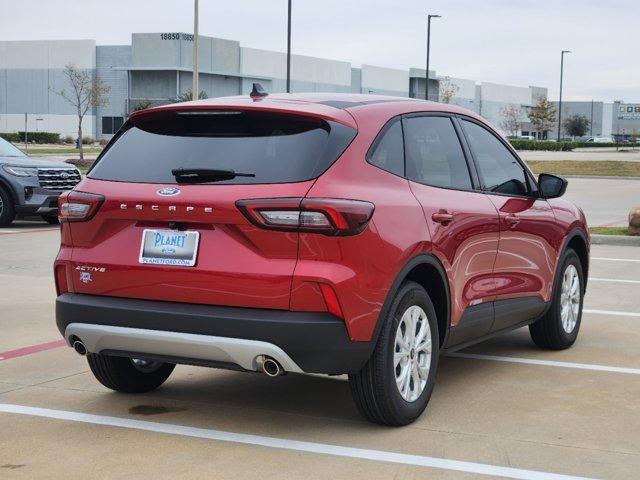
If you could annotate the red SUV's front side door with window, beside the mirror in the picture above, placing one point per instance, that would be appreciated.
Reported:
(526, 257)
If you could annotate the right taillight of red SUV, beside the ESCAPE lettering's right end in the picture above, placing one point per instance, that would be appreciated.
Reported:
(328, 216)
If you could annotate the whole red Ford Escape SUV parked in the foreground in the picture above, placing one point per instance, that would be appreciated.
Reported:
(325, 233)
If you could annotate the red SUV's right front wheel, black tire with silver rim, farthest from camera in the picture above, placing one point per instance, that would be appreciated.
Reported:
(551, 332)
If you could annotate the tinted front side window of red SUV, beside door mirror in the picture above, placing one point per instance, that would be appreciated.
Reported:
(499, 170)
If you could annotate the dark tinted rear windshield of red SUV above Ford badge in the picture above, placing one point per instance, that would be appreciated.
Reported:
(275, 148)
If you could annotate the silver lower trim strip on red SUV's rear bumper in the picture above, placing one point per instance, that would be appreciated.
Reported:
(245, 353)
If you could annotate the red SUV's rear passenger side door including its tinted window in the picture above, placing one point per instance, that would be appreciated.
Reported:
(461, 219)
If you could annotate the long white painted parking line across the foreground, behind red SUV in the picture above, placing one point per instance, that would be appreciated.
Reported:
(286, 444)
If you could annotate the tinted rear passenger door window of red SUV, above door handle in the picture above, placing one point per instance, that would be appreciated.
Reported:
(434, 153)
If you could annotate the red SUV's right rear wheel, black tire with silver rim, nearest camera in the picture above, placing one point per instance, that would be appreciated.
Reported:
(375, 389)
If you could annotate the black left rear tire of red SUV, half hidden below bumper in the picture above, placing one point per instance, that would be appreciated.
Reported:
(122, 374)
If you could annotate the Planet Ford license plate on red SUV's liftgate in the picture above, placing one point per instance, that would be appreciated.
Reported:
(169, 247)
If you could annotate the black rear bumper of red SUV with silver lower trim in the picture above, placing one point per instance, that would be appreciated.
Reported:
(202, 334)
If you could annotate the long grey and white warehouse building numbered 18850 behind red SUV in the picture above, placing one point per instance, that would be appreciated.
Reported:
(157, 67)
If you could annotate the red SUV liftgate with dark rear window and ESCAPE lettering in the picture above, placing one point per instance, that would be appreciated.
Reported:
(236, 263)
